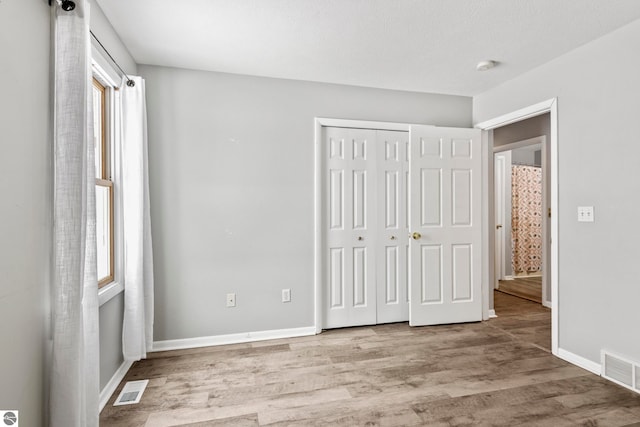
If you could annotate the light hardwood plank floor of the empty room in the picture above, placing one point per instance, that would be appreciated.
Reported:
(494, 373)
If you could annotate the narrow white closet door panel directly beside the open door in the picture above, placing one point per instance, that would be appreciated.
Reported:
(393, 226)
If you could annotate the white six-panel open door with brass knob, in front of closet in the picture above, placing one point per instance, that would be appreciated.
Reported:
(445, 252)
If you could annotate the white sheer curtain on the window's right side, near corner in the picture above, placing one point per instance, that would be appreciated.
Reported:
(137, 334)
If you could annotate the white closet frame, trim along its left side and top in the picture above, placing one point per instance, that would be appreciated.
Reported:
(319, 241)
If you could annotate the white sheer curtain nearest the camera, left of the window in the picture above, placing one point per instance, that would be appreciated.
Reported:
(75, 347)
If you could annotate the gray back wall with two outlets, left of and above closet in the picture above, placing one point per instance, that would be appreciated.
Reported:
(232, 192)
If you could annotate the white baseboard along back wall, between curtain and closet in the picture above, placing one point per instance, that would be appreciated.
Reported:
(232, 338)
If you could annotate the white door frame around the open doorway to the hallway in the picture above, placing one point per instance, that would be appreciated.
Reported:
(549, 106)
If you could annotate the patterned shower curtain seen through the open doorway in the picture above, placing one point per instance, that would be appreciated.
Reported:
(526, 218)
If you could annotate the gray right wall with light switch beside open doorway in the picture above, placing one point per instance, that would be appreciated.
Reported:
(598, 93)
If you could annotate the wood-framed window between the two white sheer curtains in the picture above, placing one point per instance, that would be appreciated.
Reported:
(104, 187)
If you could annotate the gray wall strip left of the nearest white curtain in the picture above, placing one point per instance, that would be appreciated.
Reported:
(25, 204)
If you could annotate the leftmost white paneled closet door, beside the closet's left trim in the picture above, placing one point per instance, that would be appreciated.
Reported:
(350, 291)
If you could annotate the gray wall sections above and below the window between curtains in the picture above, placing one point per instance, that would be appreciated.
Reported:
(111, 312)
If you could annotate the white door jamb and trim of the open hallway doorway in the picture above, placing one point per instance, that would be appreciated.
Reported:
(549, 106)
